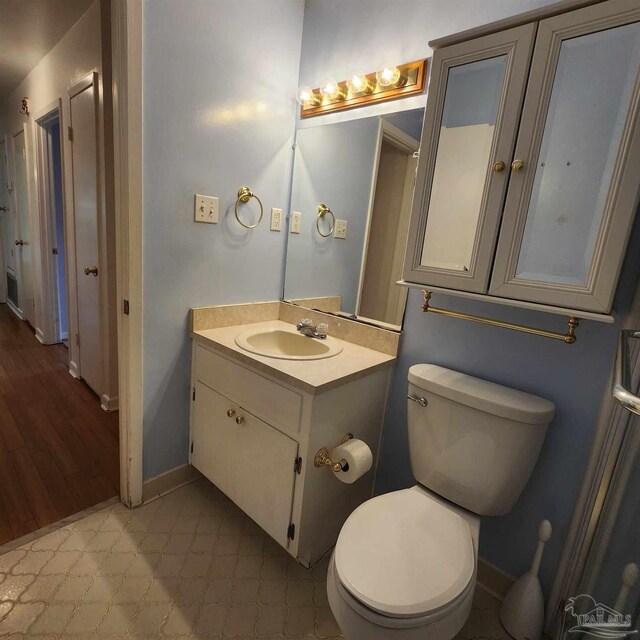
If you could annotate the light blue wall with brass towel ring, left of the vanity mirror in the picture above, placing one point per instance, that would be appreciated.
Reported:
(220, 81)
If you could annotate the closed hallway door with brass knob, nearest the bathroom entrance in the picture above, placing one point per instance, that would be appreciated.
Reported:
(85, 203)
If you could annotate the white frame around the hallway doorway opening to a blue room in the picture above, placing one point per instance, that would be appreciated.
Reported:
(49, 332)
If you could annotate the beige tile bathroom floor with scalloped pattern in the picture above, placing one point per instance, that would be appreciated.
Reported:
(189, 565)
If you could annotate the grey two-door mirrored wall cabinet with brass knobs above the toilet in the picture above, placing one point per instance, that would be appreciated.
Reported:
(527, 183)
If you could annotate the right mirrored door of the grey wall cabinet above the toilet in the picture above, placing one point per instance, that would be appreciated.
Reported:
(571, 201)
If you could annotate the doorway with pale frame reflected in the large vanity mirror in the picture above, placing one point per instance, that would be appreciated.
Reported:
(379, 296)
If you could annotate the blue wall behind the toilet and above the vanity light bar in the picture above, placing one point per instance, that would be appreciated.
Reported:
(574, 377)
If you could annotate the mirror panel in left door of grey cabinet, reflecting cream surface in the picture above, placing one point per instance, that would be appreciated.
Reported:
(469, 116)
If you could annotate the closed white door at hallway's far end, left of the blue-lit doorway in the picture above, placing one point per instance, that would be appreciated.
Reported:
(22, 240)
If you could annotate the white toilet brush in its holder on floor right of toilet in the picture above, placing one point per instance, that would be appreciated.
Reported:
(522, 612)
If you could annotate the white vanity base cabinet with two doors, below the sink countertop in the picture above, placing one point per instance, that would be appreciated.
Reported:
(255, 437)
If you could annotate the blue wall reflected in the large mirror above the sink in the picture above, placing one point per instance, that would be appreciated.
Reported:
(333, 165)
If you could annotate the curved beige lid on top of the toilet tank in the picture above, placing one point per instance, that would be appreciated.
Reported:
(483, 395)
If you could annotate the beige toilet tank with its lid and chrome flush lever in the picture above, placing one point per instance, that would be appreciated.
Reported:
(475, 443)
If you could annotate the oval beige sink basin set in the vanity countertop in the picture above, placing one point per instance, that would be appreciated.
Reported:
(287, 345)
